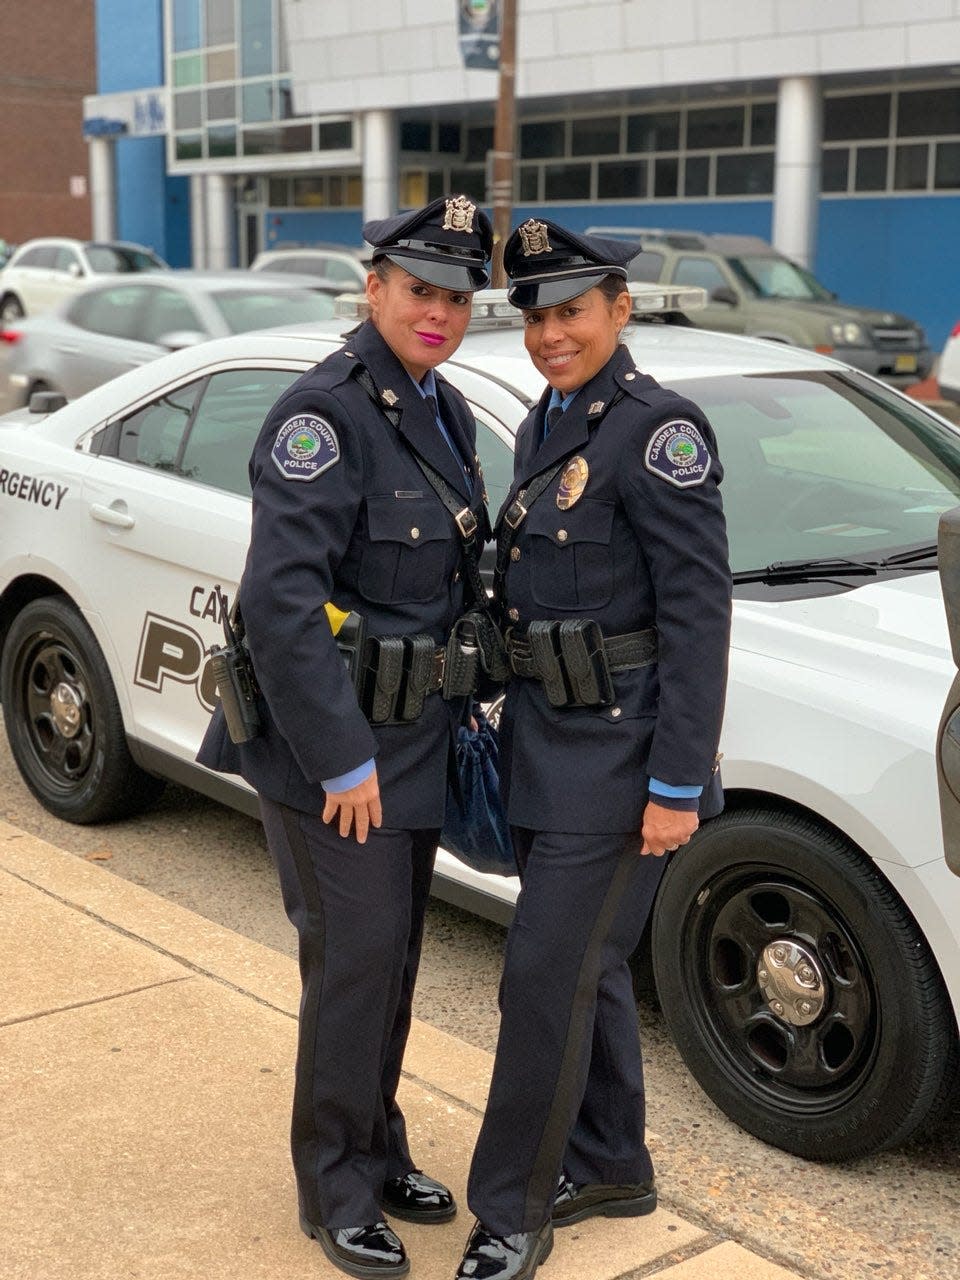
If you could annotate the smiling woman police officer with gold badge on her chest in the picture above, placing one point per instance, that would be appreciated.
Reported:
(615, 588)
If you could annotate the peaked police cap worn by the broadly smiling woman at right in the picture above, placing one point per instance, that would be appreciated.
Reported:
(548, 266)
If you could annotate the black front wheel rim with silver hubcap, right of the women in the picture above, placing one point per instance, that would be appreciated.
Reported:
(783, 993)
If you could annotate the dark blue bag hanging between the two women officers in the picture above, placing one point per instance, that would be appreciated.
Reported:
(476, 826)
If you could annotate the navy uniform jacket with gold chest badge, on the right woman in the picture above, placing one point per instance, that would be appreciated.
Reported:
(643, 547)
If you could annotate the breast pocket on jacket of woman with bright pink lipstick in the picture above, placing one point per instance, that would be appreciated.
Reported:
(406, 556)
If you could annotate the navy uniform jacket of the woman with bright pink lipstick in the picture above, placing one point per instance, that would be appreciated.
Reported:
(368, 533)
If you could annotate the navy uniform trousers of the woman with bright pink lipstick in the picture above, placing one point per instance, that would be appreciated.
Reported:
(359, 913)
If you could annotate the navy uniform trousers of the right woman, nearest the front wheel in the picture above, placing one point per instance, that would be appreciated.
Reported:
(568, 1087)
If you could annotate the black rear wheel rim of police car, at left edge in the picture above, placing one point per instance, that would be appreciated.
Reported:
(56, 712)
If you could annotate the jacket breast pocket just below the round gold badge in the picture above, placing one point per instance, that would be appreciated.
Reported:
(572, 560)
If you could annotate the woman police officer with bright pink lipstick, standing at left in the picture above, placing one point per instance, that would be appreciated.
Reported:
(353, 772)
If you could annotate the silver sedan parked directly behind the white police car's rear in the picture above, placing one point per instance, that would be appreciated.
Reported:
(131, 321)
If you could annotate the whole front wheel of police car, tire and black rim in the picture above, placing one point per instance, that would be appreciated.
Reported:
(798, 988)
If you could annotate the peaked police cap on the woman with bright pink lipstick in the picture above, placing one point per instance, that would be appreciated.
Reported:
(446, 244)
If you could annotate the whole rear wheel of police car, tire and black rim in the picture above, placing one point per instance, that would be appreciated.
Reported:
(63, 720)
